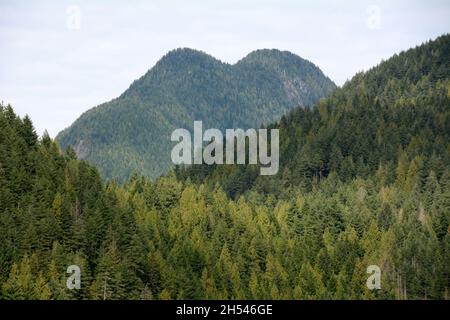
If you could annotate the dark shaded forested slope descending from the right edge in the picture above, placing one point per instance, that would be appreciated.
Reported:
(396, 111)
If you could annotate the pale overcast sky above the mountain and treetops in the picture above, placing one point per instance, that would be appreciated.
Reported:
(61, 58)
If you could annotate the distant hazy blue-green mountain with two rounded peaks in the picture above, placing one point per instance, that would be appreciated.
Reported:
(132, 132)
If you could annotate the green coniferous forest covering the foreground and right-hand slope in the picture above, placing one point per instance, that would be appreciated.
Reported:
(364, 180)
